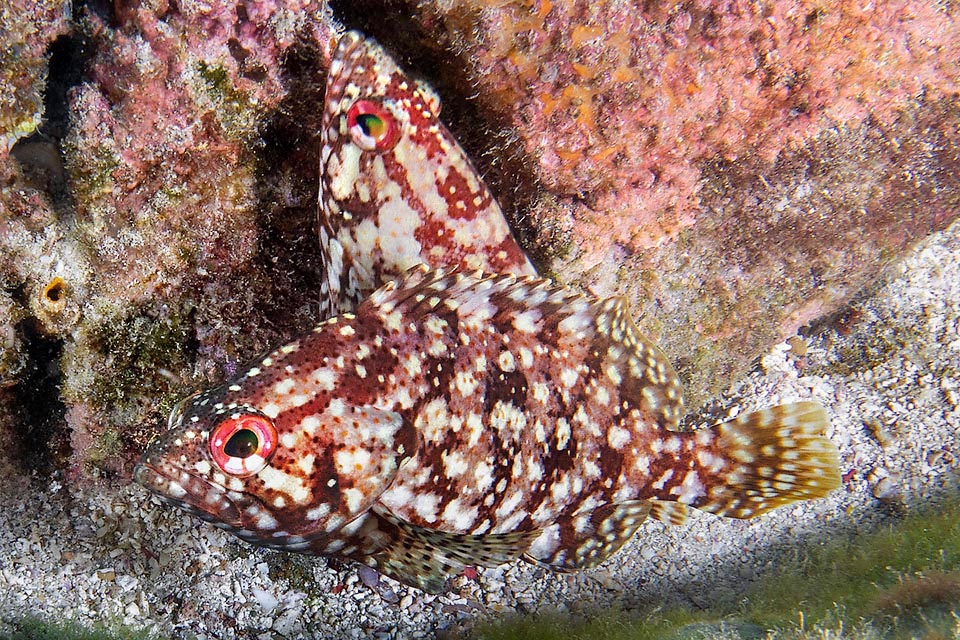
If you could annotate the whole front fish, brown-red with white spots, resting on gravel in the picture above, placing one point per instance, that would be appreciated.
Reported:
(460, 418)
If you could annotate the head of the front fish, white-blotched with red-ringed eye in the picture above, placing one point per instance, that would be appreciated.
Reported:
(279, 477)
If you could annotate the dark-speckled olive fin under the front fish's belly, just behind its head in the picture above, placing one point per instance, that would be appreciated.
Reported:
(427, 557)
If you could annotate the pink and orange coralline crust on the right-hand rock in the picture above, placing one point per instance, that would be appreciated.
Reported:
(612, 98)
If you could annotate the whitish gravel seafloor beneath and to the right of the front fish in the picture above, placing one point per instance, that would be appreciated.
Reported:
(889, 374)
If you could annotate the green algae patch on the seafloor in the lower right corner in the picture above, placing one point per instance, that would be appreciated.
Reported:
(899, 581)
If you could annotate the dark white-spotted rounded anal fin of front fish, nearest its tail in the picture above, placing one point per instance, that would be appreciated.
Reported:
(587, 538)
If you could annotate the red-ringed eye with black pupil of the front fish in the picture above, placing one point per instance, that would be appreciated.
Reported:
(243, 444)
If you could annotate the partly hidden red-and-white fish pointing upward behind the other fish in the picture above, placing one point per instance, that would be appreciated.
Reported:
(396, 188)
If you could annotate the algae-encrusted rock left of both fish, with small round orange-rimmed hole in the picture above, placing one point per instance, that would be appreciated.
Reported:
(150, 268)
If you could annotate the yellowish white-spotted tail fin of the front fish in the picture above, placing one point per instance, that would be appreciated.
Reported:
(774, 456)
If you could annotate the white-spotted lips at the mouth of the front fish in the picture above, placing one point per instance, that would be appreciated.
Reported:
(157, 477)
